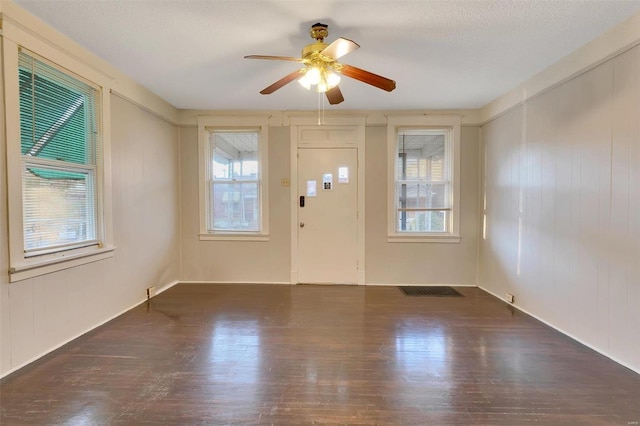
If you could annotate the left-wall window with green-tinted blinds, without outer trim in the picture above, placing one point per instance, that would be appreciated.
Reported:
(59, 141)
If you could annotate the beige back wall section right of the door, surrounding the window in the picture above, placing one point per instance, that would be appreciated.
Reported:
(420, 263)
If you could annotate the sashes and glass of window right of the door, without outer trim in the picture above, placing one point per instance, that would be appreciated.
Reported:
(423, 183)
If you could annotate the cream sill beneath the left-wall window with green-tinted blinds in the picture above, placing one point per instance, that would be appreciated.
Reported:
(34, 267)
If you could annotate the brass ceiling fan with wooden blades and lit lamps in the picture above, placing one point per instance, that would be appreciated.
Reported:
(322, 69)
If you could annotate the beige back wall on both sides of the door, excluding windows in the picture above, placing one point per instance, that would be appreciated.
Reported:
(386, 263)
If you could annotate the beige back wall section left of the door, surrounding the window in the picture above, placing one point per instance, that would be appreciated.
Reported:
(236, 261)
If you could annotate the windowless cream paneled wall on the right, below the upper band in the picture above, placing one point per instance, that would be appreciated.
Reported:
(562, 211)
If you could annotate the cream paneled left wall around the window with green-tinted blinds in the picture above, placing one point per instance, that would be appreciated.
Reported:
(41, 313)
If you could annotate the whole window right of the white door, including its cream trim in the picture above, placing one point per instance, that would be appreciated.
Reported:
(423, 178)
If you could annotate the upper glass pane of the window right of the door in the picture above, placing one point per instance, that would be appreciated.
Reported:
(421, 155)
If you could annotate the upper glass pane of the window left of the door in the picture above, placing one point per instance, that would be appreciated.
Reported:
(235, 155)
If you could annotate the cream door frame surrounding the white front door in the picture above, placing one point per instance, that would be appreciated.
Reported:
(340, 131)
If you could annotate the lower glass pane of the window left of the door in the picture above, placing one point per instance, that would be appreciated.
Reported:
(235, 206)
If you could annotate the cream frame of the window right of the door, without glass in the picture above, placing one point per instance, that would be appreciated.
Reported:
(450, 124)
